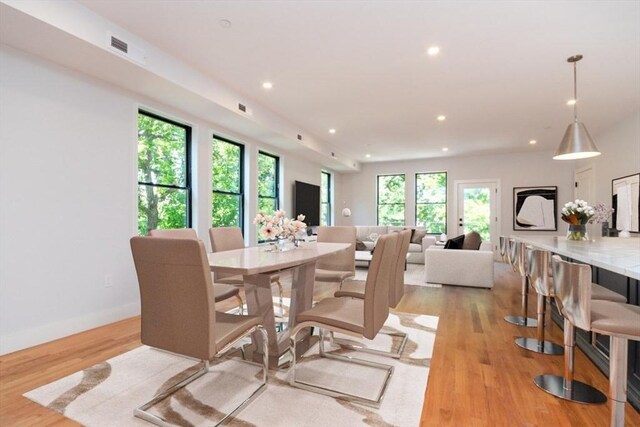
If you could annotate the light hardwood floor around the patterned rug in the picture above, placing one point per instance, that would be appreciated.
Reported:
(478, 376)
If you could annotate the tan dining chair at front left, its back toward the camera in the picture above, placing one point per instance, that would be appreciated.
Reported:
(178, 313)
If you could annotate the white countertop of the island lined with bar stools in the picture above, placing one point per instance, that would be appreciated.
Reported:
(616, 254)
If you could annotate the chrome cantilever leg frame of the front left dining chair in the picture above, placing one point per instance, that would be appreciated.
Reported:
(141, 411)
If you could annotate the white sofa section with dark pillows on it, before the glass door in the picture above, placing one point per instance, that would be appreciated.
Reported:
(461, 267)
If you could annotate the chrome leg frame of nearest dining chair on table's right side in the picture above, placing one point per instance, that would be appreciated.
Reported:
(331, 392)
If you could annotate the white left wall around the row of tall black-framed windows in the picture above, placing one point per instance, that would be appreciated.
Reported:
(68, 186)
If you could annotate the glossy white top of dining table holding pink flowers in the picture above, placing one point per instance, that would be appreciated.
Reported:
(256, 259)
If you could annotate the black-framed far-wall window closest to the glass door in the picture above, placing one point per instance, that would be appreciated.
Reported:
(431, 201)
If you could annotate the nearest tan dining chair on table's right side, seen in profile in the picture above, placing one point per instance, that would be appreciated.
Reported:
(354, 317)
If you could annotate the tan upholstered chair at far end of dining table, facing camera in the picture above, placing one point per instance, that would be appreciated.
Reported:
(339, 266)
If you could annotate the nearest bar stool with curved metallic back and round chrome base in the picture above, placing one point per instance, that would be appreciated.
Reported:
(574, 297)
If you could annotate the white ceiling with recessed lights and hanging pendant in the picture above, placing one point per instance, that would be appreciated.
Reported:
(361, 67)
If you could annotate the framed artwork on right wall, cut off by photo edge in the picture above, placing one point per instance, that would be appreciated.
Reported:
(625, 200)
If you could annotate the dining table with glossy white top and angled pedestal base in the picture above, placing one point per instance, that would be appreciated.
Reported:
(256, 264)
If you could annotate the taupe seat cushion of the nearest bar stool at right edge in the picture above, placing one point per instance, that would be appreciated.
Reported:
(612, 318)
